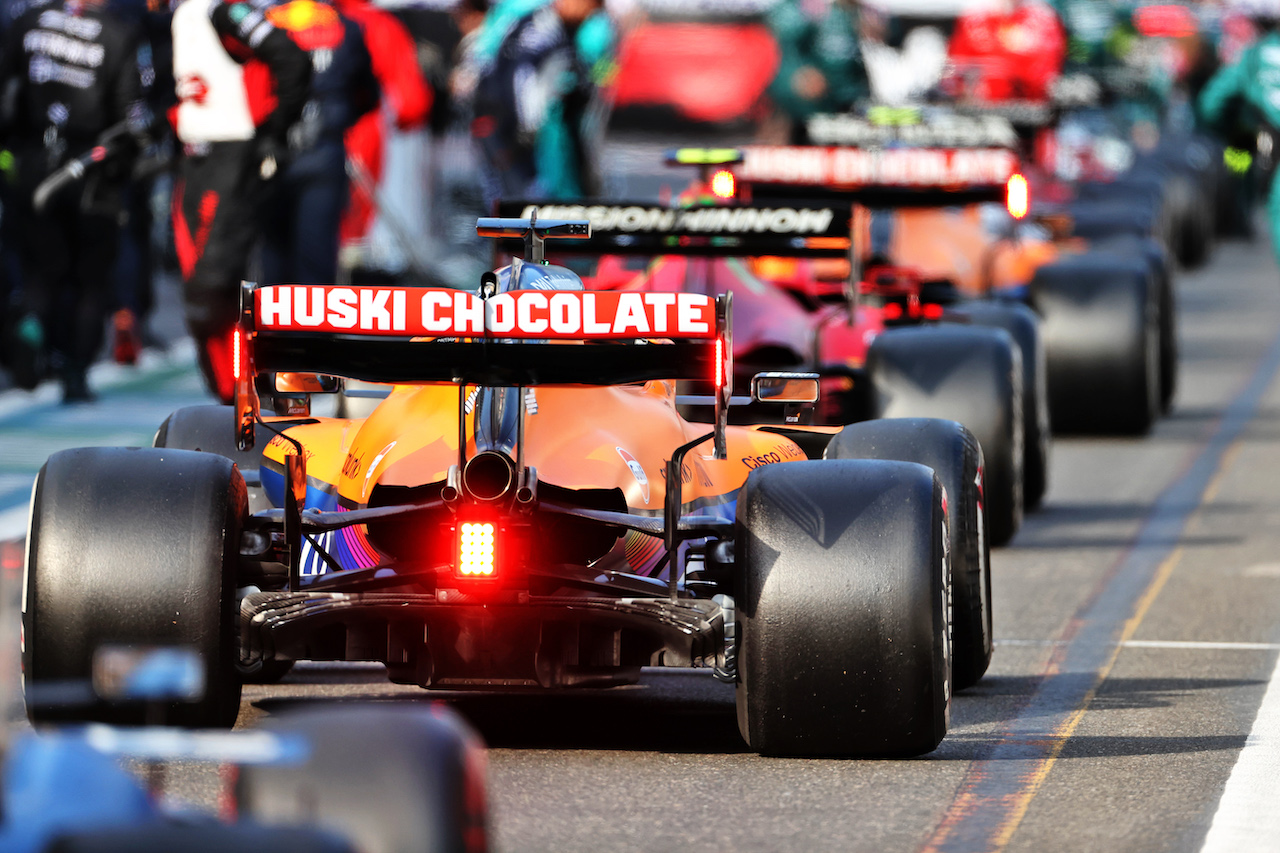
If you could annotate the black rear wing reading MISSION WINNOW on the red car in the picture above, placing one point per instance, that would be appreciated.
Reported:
(783, 227)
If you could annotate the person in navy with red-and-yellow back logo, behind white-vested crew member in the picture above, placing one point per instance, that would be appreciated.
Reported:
(303, 212)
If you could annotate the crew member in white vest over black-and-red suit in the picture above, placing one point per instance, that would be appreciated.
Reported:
(241, 85)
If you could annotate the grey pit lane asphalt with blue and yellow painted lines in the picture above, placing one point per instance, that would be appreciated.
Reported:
(1073, 742)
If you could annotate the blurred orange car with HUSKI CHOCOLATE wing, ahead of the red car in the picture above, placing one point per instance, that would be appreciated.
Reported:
(1107, 311)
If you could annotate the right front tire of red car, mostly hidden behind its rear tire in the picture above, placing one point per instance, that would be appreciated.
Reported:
(1023, 327)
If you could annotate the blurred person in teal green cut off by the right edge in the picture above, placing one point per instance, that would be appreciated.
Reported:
(1242, 101)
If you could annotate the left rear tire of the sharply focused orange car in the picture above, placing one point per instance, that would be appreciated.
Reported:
(134, 546)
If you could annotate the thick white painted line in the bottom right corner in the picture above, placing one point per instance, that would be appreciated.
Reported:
(1247, 819)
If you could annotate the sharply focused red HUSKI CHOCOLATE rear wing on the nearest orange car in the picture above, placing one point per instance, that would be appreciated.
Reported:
(424, 335)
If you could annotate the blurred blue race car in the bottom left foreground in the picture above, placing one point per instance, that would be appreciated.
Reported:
(333, 779)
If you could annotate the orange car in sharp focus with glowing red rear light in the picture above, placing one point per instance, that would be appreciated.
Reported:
(528, 509)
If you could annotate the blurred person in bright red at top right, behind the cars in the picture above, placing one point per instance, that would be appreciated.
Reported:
(1014, 52)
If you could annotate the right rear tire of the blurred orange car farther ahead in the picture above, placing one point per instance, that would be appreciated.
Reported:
(1101, 318)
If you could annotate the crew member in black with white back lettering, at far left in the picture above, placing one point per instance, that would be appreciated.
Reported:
(68, 71)
